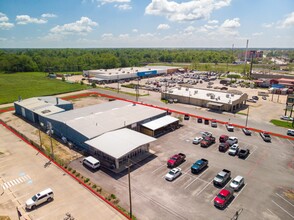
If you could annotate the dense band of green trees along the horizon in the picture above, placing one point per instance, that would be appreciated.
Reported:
(70, 60)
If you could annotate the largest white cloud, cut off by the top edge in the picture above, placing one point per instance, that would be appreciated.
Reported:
(185, 11)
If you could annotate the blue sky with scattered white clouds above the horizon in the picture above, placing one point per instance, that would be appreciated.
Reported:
(146, 23)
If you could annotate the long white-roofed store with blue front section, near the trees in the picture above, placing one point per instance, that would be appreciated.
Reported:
(129, 73)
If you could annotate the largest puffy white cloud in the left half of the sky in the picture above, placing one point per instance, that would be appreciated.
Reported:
(82, 26)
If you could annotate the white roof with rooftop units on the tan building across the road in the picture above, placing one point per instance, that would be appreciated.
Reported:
(209, 95)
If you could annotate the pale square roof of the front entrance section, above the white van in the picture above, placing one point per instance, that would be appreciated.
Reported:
(119, 142)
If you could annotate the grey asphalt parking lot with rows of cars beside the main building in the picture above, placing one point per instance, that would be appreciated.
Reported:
(268, 172)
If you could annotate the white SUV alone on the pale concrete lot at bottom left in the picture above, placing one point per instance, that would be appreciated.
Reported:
(46, 195)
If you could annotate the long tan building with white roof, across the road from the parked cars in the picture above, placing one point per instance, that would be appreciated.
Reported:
(221, 101)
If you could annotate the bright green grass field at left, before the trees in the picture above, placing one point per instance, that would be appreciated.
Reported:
(30, 84)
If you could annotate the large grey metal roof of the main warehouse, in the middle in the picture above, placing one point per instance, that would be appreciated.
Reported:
(95, 120)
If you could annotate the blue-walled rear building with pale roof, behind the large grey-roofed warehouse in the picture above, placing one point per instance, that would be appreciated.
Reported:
(34, 109)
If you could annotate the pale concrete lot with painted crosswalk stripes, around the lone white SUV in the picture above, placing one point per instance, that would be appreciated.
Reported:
(33, 174)
